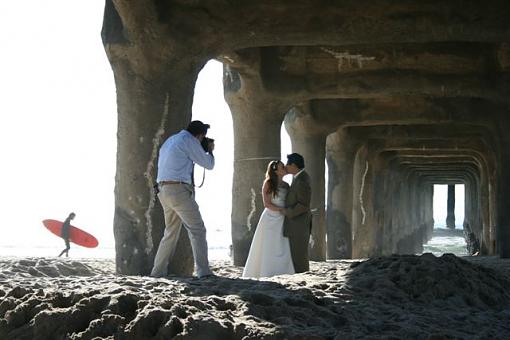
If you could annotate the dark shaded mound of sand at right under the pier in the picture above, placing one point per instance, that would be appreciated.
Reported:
(433, 280)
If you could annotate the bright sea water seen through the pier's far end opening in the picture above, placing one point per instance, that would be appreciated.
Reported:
(446, 241)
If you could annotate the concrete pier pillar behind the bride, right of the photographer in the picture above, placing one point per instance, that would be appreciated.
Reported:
(257, 119)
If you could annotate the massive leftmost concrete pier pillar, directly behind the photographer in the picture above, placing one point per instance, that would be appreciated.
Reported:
(154, 100)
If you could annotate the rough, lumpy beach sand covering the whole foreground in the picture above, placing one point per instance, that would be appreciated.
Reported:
(396, 297)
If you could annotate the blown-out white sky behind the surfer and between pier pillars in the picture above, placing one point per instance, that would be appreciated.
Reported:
(58, 121)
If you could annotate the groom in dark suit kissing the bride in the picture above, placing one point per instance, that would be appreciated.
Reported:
(297, 225)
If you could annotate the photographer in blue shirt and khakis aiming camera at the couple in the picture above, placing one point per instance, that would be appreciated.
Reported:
(177, 195)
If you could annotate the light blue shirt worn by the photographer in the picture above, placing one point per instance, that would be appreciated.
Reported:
(177, 155)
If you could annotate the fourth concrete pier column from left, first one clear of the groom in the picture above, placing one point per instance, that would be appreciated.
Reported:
(340, 154)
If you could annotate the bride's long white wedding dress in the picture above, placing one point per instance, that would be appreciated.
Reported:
(270, 250)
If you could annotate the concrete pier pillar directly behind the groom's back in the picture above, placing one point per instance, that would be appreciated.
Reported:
(309, 140)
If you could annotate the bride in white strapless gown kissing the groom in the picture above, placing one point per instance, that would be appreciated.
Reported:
(270, 250)
